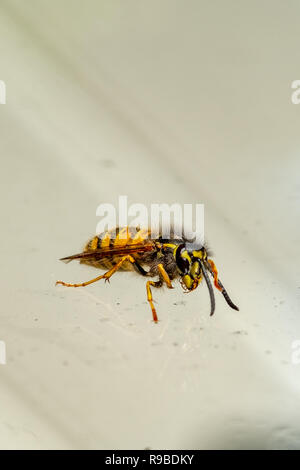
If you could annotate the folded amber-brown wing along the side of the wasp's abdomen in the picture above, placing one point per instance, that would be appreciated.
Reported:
(111, 251)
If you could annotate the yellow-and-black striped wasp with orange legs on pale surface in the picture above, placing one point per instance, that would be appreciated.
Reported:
(132, 249)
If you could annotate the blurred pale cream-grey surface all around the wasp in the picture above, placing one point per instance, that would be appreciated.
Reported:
(163, 101)
